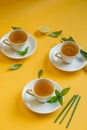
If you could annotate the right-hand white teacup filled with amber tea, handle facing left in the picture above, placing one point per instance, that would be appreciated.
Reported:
(68, 51)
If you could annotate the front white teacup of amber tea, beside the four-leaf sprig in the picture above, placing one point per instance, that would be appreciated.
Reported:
(42, 90)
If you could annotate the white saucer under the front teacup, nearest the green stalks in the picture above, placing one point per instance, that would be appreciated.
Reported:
(33, 105)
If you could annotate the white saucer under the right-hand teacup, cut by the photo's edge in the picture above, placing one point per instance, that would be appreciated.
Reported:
(77, 64)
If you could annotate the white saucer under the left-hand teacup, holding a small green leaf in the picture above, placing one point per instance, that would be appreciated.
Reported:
(7, 51)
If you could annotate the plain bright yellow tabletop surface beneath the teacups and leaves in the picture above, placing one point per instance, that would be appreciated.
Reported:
(70, 16)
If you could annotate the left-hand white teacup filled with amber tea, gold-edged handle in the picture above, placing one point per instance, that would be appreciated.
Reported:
(16, 39)
